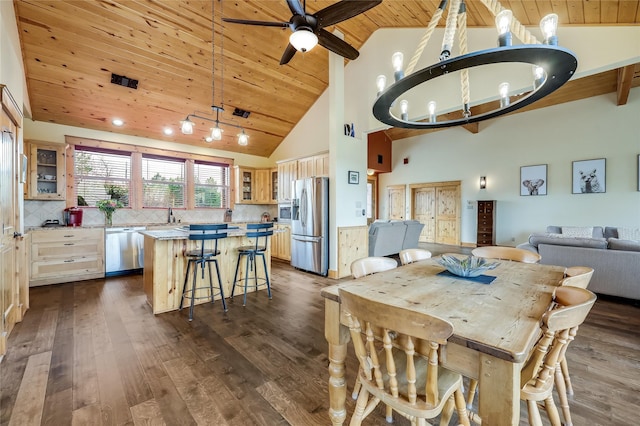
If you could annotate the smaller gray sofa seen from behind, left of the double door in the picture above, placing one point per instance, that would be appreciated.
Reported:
(387, 237)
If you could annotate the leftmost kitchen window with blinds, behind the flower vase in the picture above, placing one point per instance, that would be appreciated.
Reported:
(101, 175)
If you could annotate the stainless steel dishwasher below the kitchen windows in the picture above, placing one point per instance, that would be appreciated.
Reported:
(124, 251)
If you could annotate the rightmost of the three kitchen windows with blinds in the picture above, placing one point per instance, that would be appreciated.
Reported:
(211, 184)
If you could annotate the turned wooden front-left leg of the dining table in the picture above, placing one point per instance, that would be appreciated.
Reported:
(337, 337)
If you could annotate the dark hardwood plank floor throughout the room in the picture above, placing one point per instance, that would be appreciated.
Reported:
(91, 353)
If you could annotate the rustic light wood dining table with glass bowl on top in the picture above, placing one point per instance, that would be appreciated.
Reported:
(495, 325)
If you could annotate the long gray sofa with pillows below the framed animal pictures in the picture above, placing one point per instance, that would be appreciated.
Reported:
(616, 262)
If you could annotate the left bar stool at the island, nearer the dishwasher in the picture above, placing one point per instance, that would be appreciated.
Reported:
(201, 257)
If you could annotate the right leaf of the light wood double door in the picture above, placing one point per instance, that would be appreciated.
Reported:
(448, 215)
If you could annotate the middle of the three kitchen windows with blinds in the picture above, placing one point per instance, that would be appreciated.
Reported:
(163, 182)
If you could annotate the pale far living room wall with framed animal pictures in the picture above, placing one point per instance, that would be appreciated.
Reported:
(586, 129)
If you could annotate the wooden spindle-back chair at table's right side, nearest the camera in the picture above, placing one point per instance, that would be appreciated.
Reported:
(542, 370)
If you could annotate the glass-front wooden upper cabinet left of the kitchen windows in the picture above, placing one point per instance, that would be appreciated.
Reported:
(46, 178)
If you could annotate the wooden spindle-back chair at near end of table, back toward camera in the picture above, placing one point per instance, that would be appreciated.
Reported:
(414, 385)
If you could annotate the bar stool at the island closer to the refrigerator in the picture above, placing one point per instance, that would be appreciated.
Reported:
(261, 232)
